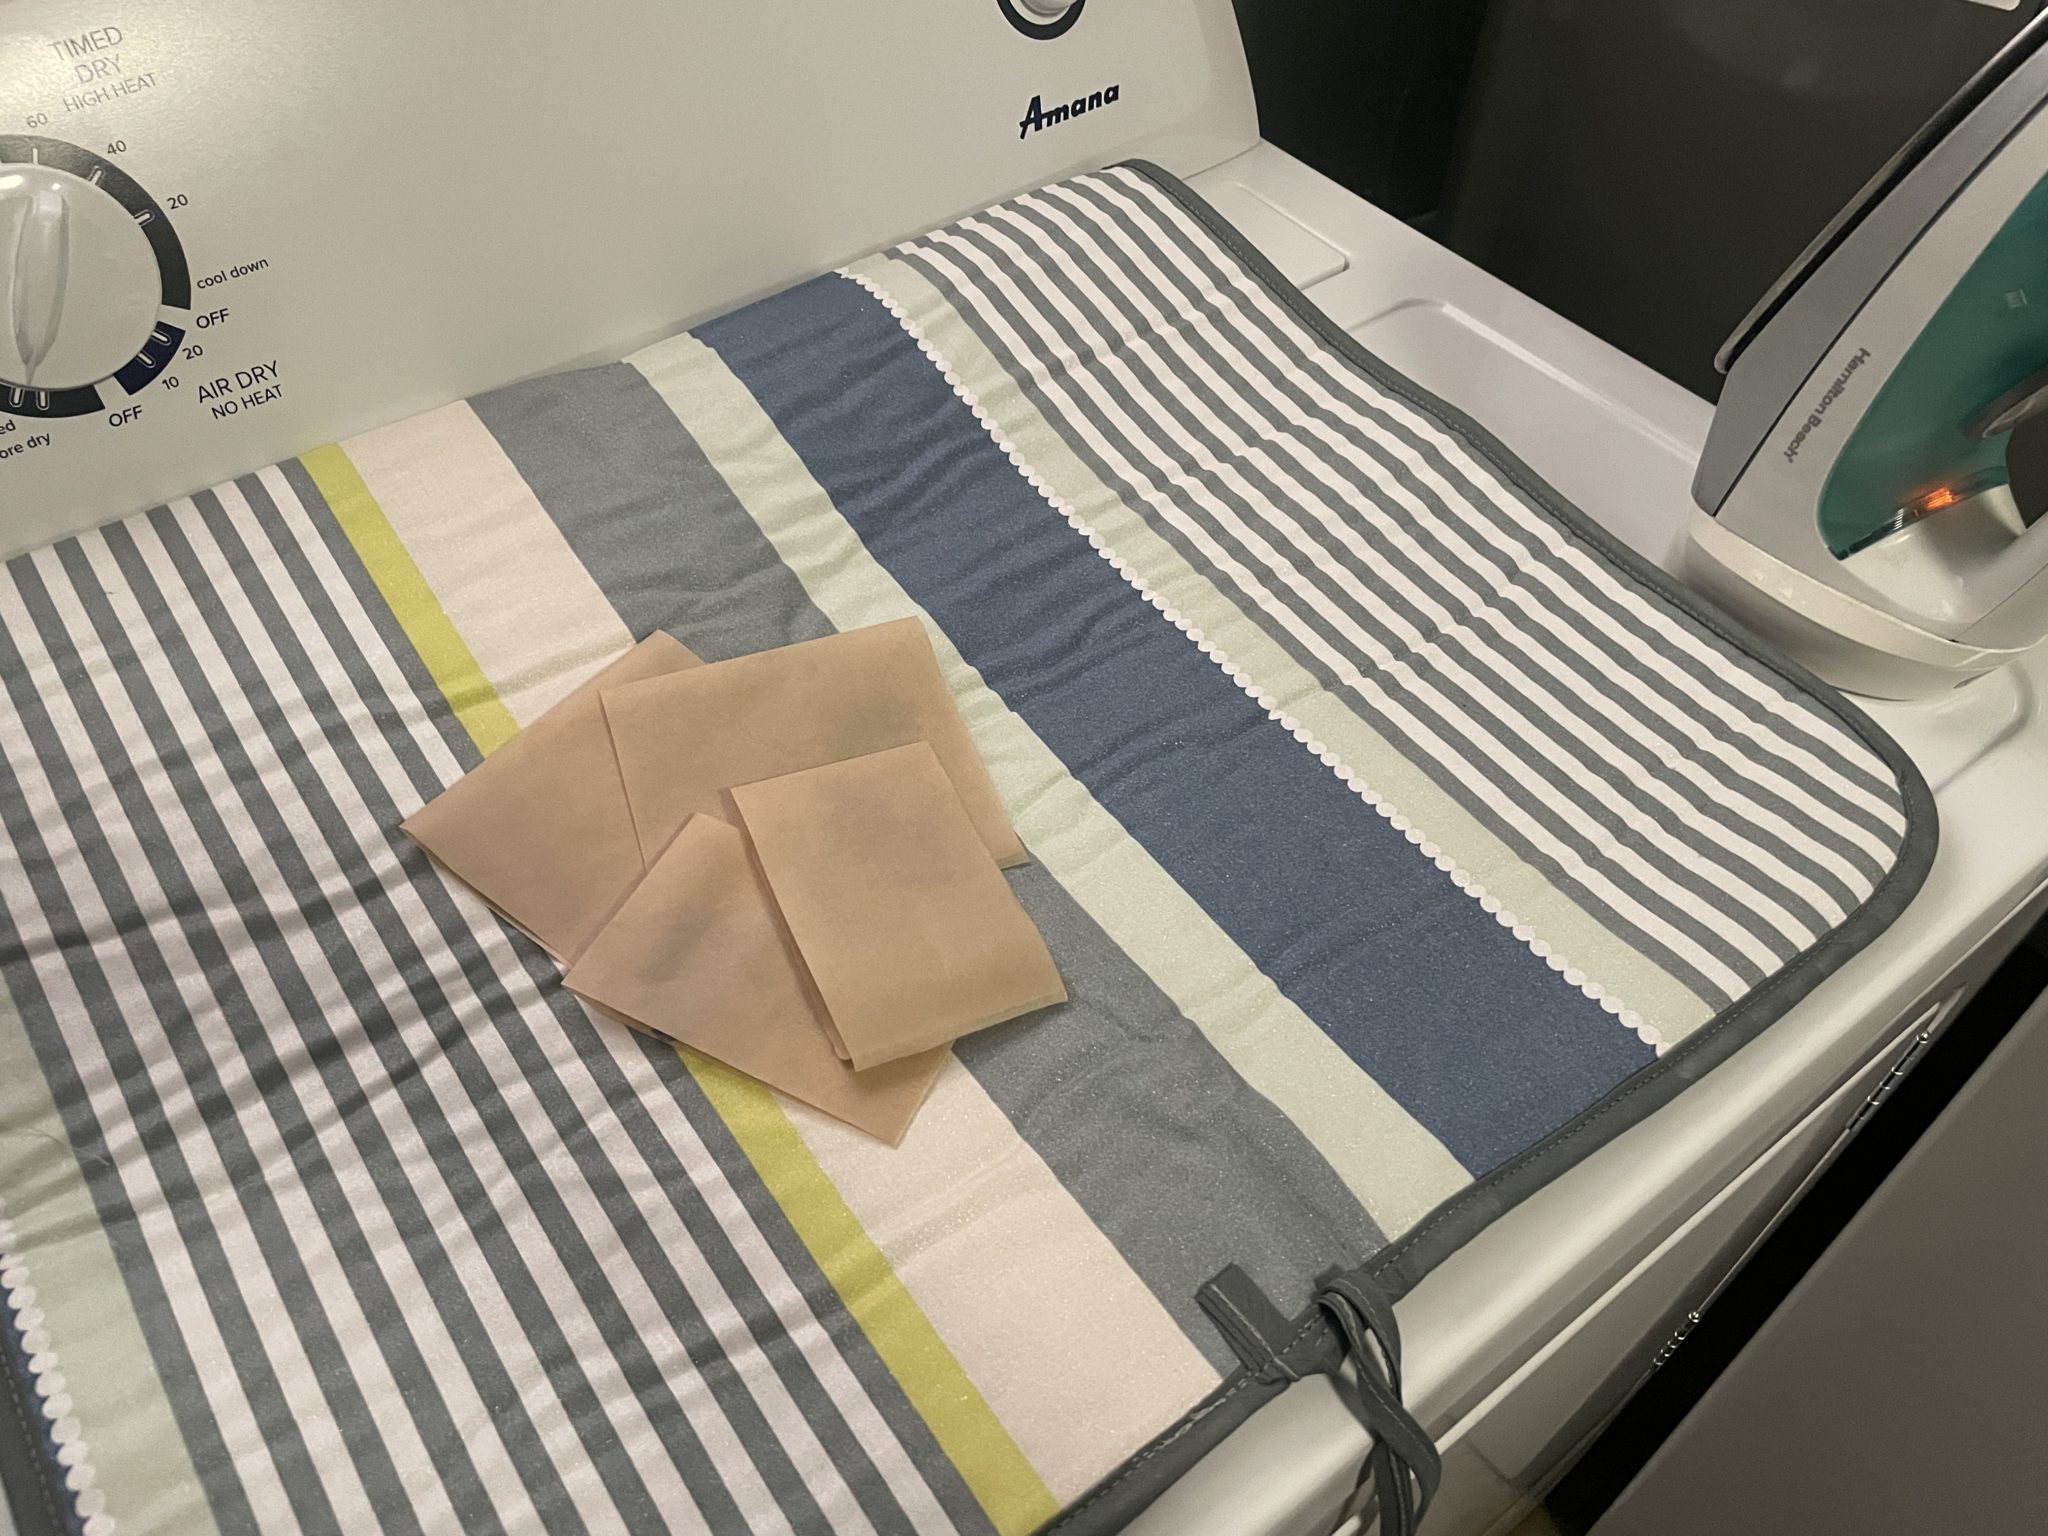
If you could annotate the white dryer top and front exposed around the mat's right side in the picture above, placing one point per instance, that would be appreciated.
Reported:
(1529, 1338)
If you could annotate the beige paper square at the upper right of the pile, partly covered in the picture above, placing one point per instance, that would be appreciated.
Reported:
(689, 738)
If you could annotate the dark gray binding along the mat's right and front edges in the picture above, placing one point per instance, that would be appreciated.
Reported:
(1314, 1345)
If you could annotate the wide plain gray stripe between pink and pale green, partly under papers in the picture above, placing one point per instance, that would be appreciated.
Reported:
(1261, 1189)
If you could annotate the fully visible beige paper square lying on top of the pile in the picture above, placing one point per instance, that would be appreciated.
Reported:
(906, 927)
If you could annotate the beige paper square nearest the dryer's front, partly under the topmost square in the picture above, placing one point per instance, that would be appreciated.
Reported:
(699, 955)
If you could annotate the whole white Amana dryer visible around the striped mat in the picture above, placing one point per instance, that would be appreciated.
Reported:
(349, 218)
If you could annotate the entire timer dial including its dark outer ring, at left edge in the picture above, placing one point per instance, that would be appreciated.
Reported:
(95, 292)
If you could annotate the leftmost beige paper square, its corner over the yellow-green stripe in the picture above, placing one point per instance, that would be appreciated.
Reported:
(542, 828)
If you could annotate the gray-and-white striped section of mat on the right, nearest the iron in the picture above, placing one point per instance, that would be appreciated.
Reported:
(1674, 787)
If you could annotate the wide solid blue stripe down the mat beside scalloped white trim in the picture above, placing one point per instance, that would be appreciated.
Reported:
(1471, 1033)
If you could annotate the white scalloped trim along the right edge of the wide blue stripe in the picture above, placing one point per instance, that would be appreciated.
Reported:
(1347, 775)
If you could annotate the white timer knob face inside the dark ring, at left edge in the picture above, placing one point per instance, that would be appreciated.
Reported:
(79, 284)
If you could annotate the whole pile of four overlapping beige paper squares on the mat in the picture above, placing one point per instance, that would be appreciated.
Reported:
(787, 861)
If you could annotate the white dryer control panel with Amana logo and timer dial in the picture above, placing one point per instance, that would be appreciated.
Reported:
(232, 230)
